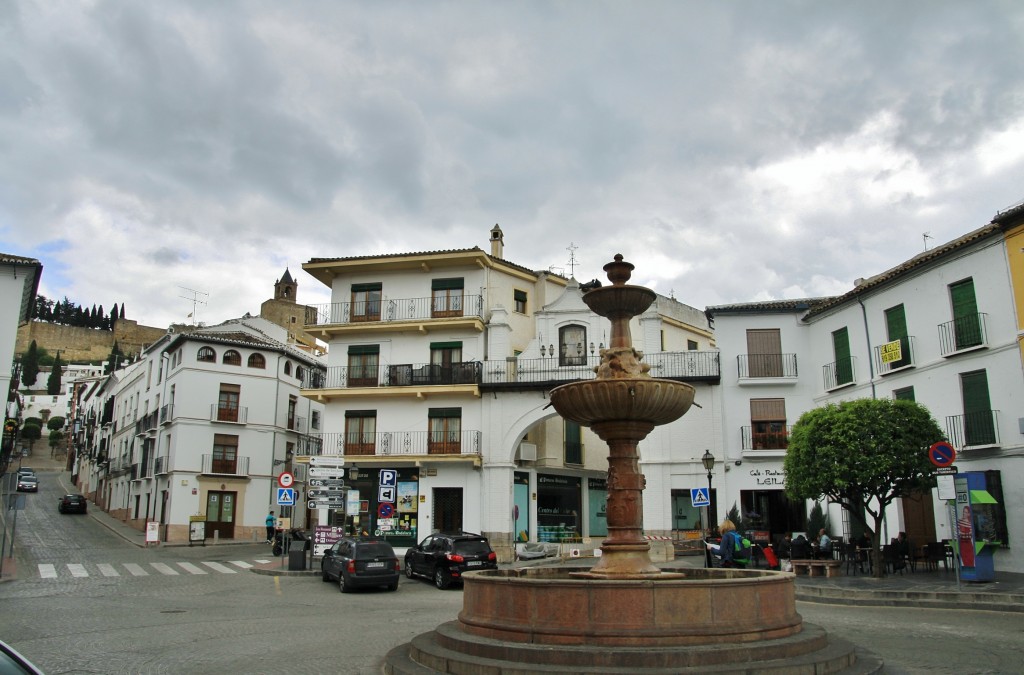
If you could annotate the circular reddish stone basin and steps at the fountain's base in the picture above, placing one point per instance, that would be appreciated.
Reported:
(543, 620)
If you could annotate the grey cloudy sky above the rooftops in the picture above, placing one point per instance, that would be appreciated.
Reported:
(733, 151)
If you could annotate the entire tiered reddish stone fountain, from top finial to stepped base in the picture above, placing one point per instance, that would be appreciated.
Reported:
(627, 615)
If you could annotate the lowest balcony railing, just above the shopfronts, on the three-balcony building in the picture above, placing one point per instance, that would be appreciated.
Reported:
(391, 444)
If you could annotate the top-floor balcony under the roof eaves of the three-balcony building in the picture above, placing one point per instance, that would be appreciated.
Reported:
(398, 314)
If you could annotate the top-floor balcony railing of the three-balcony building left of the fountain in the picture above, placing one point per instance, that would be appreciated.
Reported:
(387, 311)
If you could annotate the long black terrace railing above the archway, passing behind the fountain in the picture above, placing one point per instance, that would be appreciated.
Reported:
(670, 365)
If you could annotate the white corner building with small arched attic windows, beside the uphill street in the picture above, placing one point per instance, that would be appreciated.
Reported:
(201, 427)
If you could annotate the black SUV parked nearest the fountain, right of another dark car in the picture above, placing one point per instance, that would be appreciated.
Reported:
(445, 558)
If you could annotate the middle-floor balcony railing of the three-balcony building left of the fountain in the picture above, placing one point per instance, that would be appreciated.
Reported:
(343, 377)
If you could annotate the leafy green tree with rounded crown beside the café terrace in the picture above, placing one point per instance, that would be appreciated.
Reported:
(863, 454)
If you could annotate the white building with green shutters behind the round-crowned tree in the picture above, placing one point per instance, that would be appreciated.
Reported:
(941, 329)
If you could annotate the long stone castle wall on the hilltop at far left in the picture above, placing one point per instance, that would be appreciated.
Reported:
(87, 345)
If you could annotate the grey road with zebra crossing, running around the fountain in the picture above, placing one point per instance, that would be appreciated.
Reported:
(87, 602)
